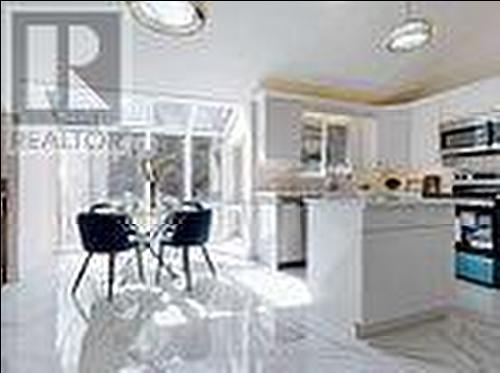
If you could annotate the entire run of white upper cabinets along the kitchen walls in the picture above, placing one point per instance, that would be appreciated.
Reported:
(401, 136)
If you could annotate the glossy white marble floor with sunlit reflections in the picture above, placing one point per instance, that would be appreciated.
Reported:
(248, 320)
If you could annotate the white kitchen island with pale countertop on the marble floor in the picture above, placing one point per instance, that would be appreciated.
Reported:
(380, 263)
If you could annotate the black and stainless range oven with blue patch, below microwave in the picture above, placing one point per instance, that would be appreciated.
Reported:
(477, 233)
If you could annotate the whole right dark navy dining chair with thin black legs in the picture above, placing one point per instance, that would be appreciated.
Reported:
(183, 229)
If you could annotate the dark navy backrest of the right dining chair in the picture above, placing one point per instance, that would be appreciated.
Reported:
(191, 227)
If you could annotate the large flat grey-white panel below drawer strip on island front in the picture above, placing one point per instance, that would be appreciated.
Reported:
(406, 272)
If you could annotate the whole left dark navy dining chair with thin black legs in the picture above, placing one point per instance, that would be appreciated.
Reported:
(107, 233)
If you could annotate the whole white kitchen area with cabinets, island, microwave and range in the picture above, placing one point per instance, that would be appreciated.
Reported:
(434, 163)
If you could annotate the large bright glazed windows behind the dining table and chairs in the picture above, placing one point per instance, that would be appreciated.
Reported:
(183, 139)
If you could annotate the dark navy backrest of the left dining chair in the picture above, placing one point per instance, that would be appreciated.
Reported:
(104, 233)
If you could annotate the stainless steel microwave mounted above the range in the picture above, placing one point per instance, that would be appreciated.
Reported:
(478, 135)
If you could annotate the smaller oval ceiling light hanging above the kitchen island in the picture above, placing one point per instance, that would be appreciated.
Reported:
(414, 33)
